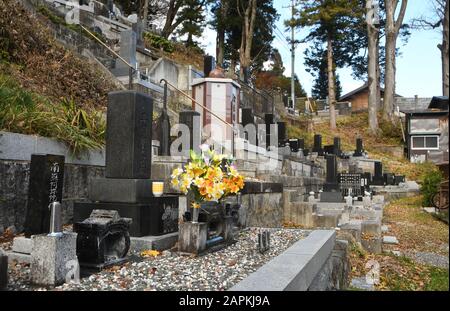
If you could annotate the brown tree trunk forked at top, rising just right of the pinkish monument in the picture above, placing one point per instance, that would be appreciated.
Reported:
(248, 25)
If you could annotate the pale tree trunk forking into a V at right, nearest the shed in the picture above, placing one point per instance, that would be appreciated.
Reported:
(392, 29)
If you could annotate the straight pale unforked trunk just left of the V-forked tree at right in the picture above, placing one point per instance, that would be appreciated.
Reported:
(372, 34)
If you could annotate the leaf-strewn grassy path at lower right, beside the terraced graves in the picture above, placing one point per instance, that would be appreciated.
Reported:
(419, 261)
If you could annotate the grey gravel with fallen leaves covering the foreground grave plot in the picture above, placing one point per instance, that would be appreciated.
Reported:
(169, 271)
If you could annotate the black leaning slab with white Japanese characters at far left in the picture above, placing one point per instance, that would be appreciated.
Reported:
(45, 187)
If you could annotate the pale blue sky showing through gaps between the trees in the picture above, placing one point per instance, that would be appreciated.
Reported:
(418, 68)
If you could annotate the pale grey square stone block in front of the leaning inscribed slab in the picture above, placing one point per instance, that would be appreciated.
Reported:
(53, 258)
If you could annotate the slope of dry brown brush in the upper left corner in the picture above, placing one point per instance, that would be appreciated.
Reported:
(39, 64)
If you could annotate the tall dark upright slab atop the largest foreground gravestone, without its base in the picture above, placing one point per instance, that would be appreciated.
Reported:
(128, 135)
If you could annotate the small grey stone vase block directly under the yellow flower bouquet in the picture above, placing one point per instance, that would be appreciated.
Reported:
(192, 238)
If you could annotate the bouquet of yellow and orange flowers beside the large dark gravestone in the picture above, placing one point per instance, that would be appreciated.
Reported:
(208, 177)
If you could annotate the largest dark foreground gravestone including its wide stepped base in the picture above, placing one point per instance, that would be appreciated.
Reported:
(127, 186)
